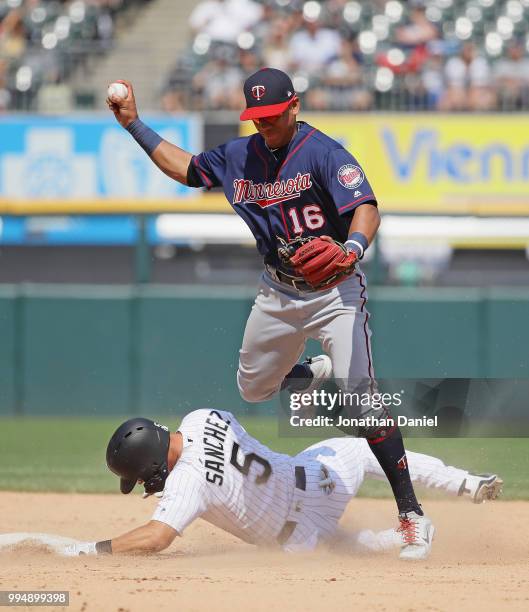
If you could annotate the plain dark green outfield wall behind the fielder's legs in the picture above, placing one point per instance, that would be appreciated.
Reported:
(154, 350)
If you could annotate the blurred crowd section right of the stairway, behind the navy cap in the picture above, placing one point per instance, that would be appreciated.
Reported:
(452, 55)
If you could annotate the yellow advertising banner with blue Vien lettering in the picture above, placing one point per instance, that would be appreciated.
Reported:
(432, 163)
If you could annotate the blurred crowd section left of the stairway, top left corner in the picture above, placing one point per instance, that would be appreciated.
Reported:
(42, 42)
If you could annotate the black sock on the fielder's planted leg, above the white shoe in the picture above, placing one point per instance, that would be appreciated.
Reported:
(392, 458)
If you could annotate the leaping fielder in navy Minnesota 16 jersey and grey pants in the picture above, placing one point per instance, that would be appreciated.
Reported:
(313, 213)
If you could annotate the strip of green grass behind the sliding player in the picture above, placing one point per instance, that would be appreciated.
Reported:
(53, 454)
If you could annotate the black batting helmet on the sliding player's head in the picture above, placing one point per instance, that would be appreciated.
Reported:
(138, 451)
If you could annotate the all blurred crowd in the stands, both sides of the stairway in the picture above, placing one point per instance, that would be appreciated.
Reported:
(452, 55)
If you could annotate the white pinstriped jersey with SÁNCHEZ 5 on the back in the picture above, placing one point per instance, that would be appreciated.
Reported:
(254, 512)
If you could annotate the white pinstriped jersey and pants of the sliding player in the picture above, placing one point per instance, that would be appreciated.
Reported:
(236, 491)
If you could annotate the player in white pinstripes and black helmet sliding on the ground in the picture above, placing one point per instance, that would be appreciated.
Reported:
(211, 468)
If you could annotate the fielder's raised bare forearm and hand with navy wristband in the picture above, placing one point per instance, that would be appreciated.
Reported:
(171, 160)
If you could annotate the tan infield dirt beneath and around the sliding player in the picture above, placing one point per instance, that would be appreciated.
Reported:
(480, 561)
